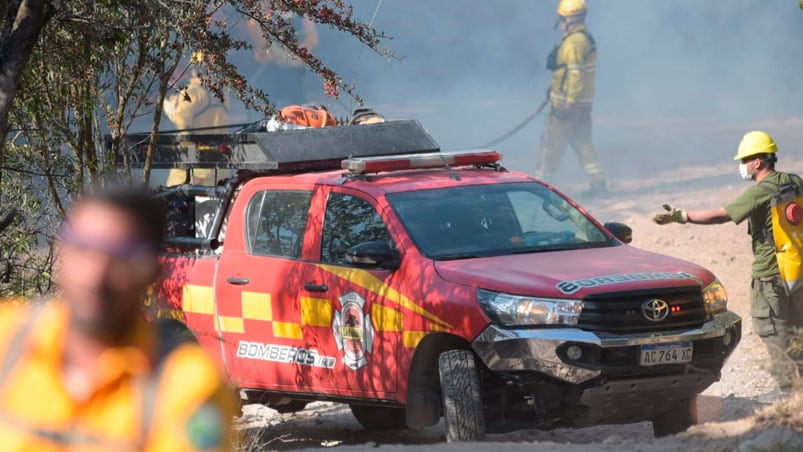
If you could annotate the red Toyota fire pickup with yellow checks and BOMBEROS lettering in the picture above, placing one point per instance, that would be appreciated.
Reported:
(362, 265)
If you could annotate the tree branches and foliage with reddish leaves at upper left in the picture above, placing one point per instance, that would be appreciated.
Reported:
(100, 65)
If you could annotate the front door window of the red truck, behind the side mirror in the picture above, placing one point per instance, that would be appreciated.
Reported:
(348, 222)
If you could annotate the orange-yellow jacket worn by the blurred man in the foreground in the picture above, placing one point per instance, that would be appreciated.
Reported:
(127, 403)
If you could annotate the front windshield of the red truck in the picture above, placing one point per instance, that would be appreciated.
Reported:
(493, 220)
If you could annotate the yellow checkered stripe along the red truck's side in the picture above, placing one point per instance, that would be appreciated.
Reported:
(314, 312)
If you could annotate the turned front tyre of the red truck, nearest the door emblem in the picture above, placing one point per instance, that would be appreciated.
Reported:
(461, 395)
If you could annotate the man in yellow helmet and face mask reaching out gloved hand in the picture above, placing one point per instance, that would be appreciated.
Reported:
(776, 298)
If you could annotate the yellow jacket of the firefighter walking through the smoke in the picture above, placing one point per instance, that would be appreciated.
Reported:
(573, 64)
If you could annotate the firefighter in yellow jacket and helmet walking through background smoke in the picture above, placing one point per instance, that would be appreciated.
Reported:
(573, 64)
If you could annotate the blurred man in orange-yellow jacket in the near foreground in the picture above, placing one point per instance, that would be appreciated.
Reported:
(85, 371)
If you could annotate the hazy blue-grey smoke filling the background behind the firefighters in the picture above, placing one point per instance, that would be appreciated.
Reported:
(678, 82)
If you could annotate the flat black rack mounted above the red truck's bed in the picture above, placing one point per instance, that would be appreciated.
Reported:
(284, 151)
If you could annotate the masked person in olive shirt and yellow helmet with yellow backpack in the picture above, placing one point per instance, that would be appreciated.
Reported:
(774, 312)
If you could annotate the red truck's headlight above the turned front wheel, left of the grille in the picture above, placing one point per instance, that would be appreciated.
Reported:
(517, 310)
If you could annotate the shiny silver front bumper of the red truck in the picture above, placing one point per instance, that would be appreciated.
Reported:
(539, 350)
